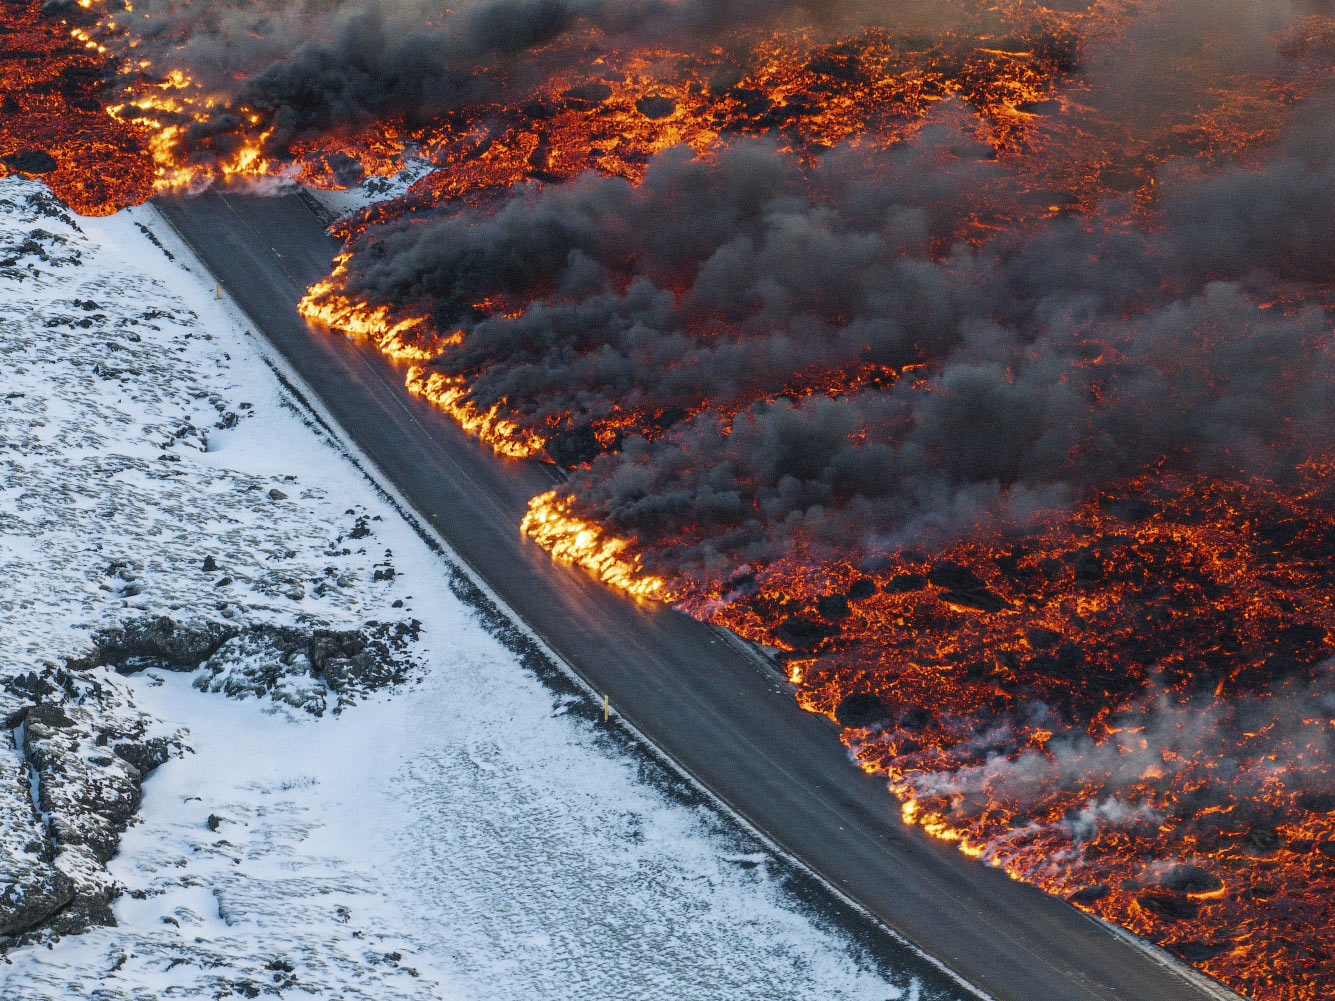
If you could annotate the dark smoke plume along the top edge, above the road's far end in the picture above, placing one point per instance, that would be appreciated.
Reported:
(317, 69)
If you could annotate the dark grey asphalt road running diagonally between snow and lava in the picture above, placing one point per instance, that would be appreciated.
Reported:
(726, 719)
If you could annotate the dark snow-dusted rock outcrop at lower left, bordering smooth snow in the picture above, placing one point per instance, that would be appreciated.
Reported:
(71, 779)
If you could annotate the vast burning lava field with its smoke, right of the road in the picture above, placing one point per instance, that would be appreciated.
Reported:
(978, 360)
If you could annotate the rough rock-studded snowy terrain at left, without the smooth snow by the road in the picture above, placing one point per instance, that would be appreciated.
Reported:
(125, 548)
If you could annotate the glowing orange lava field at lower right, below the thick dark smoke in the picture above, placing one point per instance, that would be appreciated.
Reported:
(1130, 707)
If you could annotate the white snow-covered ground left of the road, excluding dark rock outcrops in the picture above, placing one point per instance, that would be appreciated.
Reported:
(473, 833)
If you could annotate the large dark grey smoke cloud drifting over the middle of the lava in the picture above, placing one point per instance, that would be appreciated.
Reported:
(716, 286)
